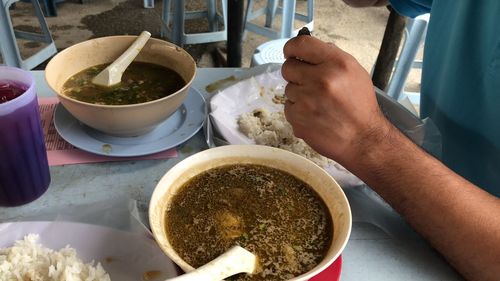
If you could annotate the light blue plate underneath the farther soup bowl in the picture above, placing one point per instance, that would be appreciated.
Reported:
(178, 128)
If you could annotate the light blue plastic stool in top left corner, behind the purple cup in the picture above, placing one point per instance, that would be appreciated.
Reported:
(8, 45)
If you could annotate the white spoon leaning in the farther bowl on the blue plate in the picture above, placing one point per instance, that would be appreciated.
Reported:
(112, 74)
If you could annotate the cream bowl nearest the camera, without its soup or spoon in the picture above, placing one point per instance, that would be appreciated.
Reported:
(324, 185)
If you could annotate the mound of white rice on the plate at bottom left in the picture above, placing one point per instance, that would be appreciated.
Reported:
(28, 260)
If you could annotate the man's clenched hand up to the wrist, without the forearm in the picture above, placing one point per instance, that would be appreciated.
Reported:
(331, 100)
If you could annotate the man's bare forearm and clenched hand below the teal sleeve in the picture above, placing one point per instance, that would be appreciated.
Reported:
(332, 106)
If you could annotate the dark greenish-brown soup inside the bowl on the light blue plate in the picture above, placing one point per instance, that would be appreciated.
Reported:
(141, 82)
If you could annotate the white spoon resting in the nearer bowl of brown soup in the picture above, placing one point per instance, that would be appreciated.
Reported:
(235, 260)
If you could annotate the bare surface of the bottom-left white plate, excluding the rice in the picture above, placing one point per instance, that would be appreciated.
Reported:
(125, 256)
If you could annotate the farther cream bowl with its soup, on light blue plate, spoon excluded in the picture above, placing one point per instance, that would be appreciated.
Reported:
(152, 88)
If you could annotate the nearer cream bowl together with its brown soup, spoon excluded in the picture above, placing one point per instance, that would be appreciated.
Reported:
(278, 205)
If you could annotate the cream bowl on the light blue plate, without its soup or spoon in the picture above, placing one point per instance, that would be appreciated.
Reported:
(120, 120)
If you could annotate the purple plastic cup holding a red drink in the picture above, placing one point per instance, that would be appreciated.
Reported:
(24, 169)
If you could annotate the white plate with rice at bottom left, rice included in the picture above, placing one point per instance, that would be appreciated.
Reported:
(66, 251)
